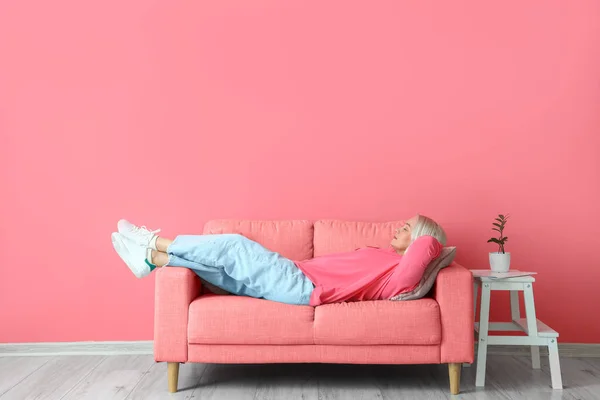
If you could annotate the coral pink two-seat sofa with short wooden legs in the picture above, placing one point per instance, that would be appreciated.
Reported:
(195, 325)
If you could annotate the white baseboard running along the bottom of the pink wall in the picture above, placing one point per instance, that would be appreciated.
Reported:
(145, 347)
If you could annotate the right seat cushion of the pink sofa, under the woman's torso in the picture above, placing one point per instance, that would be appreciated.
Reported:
(414, 322)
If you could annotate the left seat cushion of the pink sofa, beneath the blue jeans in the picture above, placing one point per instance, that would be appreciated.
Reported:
(217, 319)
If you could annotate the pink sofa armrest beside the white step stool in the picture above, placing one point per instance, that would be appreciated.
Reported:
(454, 294)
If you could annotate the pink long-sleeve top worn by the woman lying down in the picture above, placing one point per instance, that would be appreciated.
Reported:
(369, 273)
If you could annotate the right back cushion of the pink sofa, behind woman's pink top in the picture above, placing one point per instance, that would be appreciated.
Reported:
(334, 236)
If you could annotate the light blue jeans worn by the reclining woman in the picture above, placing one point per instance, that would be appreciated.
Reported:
(241, 266)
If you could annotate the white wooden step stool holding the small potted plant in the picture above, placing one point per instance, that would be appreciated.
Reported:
(538, 333)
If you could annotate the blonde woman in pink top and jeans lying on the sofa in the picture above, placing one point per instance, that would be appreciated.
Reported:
(241, 266)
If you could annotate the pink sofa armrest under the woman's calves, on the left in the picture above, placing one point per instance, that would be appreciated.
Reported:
(175, 289)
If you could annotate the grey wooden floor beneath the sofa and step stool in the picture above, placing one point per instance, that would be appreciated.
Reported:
(139, 377)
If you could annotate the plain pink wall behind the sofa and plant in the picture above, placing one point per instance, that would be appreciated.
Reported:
(171, 113)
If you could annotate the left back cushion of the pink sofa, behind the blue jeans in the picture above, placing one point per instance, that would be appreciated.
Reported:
(292, 238)
